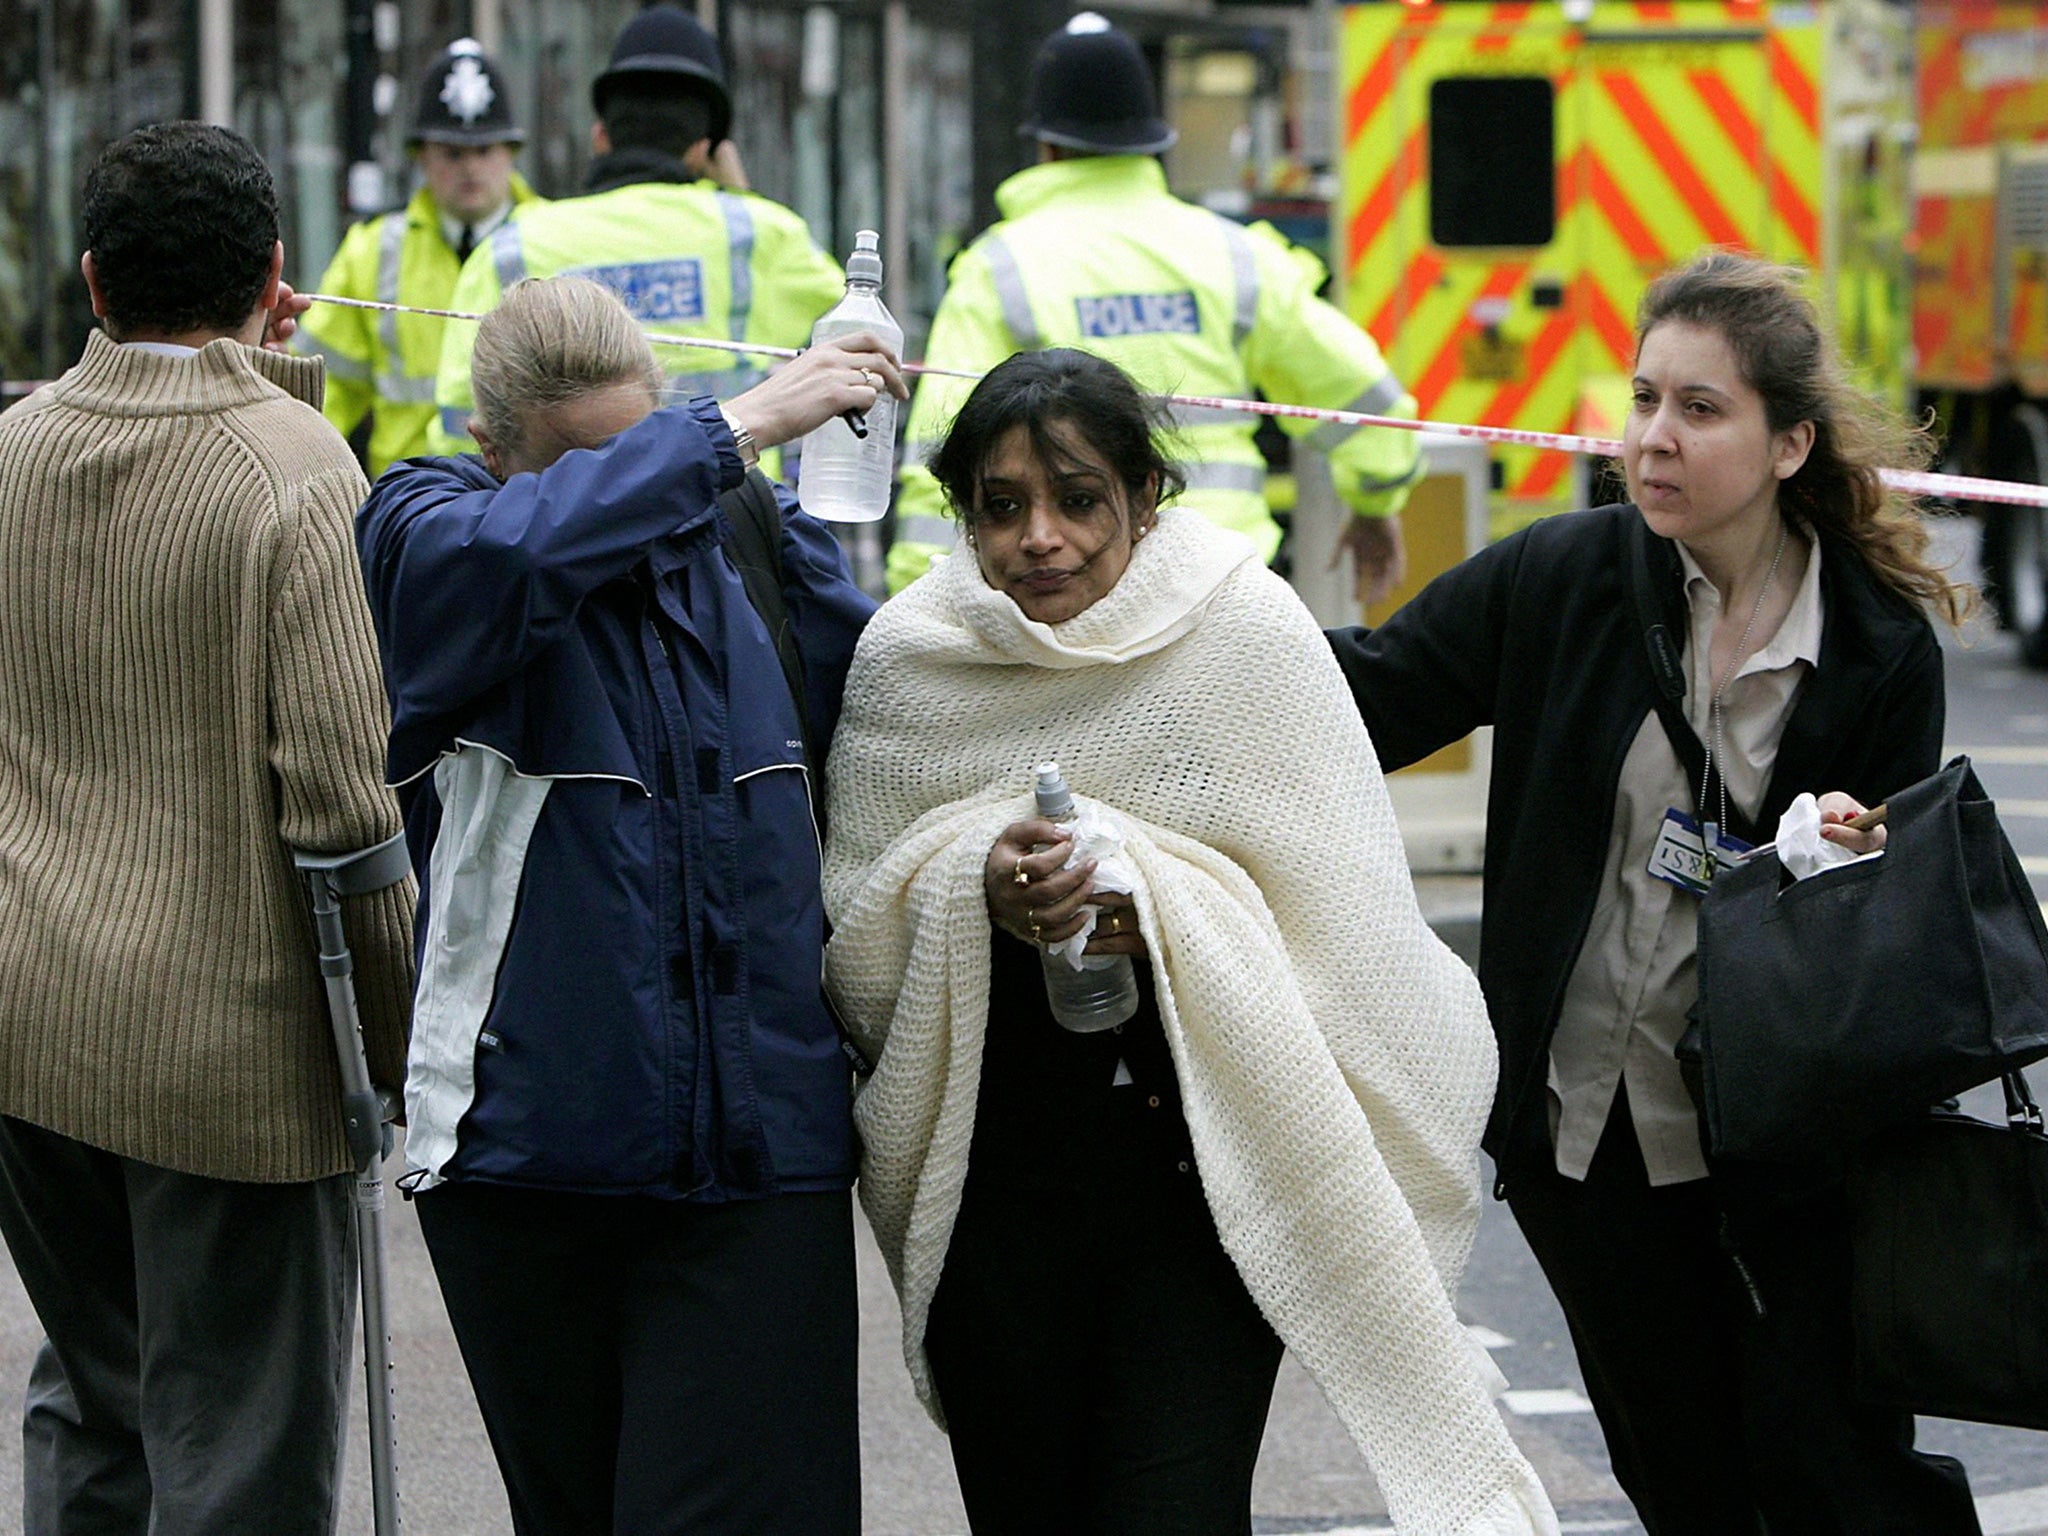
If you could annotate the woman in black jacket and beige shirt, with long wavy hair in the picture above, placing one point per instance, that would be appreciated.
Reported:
(1668, 677)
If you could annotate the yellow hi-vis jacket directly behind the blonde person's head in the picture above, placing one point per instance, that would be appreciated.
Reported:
(689, 259)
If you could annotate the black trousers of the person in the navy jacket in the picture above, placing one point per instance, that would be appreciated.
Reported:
(650, 1367)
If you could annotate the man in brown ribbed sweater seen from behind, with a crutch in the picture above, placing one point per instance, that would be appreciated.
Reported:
(187, 687)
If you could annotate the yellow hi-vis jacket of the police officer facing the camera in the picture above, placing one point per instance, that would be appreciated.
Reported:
(378, 361)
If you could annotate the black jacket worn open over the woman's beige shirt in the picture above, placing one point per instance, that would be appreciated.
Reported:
(1539, 638)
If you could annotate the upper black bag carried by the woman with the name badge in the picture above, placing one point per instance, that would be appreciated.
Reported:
(1869, 992)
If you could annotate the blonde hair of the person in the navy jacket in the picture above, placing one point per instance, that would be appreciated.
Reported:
(552, 341)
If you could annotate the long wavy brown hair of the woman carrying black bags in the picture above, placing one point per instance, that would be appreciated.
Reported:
(1777, 337)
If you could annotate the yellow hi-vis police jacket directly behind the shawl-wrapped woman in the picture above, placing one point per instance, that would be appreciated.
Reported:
(1095, 253)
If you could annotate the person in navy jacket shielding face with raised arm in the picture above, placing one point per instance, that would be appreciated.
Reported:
(628, 1107)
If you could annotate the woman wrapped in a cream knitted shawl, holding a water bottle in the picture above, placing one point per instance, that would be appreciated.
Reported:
(1101, 1242)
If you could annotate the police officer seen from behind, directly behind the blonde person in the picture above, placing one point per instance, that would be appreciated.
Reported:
(665, 222)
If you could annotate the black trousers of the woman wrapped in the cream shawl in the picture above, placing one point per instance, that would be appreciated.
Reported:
(1101, 1365)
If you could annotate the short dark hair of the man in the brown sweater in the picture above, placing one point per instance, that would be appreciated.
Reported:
(181, 222)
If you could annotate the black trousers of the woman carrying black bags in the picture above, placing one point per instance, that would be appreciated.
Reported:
(1715, 1342)
